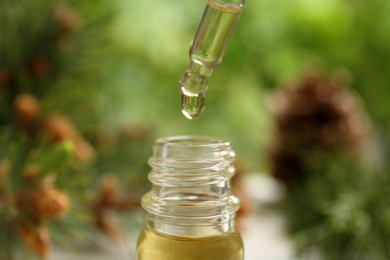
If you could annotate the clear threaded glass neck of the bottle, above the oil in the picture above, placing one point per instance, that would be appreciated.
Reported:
(191, 195)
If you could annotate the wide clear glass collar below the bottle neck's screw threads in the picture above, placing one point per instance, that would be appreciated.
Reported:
(189, 214)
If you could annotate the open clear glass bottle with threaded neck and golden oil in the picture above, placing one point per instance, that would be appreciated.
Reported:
(190, 209)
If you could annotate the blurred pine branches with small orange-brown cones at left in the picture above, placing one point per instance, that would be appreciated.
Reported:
(59, 54)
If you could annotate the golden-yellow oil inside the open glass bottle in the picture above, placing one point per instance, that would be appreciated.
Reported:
(152, 246)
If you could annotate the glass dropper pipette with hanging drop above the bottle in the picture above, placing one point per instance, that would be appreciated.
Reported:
(206, 52)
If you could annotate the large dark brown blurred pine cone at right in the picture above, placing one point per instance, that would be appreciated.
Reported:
(315, 115)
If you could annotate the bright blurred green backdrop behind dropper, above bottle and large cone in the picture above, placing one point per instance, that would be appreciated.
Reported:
(273, 44)
